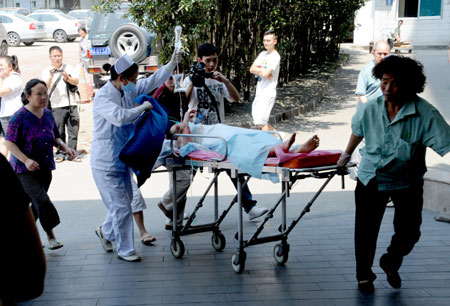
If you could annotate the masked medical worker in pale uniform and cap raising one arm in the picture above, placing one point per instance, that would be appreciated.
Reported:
(114, 112)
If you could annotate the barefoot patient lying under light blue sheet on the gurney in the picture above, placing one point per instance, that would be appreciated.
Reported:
(247, 149)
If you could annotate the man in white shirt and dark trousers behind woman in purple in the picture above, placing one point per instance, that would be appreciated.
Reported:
(61, 80)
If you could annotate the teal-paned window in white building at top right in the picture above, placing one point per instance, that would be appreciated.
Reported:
(419, 8)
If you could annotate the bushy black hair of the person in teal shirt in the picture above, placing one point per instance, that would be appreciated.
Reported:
(408, 73)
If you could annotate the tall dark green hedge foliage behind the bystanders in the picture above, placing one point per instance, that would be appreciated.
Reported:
(309, 31)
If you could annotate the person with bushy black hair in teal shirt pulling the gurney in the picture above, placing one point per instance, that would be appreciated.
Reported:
(397, 128)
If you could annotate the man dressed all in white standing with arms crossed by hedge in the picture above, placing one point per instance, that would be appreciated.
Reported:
(266, 67)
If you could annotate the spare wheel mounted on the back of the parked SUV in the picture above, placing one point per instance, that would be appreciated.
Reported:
(128, 39)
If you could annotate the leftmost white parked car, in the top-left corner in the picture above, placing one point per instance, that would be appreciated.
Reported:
(20, 28)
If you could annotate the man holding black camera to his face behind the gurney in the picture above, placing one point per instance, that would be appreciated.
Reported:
(206, 89)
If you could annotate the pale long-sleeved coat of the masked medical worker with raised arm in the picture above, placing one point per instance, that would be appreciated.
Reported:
(114, 113)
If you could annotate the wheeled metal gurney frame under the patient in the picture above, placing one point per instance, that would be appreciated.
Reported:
(288, 178)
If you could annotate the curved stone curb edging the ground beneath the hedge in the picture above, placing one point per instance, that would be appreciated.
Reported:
(304, 108)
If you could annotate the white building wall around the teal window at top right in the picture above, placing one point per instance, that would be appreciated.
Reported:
(378, 17)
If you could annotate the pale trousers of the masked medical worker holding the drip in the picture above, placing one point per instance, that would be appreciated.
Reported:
(117, 193)
